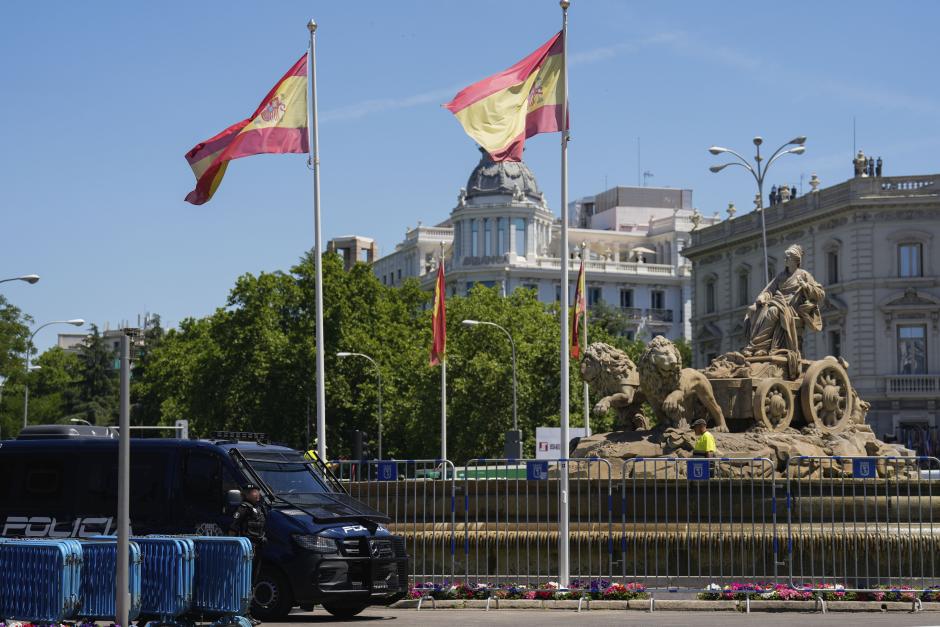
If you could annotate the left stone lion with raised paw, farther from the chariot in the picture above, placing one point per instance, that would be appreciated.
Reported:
(612, 373)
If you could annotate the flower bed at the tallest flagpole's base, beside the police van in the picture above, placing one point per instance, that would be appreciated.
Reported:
(597, 589)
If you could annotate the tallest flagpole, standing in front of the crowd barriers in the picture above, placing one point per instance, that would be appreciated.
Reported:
(563, 547)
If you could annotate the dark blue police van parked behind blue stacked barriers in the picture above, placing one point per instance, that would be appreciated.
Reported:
(323, 546)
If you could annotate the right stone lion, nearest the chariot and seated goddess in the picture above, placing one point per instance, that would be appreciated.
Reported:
(674, 392)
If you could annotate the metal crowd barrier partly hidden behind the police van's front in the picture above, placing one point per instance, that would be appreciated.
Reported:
(419, 495)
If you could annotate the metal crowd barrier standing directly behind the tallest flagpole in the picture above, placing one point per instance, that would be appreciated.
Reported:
(510, 531)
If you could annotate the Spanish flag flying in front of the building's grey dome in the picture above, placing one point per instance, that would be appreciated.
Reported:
(501, 111)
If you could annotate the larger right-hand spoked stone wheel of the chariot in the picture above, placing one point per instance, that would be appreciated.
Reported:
(826, 396)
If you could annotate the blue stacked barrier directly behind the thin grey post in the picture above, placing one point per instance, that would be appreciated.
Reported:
(98, 580)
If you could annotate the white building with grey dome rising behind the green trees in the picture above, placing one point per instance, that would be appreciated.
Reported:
(502, 233)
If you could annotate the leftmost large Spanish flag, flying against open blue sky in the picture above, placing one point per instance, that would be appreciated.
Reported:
(278, 125)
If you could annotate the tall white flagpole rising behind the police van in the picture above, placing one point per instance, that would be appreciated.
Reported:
(318, 257)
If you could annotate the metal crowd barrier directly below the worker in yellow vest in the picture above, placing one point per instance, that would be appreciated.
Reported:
(689, 523)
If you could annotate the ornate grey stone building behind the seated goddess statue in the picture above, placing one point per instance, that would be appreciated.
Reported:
(870, 242)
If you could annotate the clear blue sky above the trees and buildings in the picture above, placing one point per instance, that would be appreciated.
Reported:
(100, 101)
